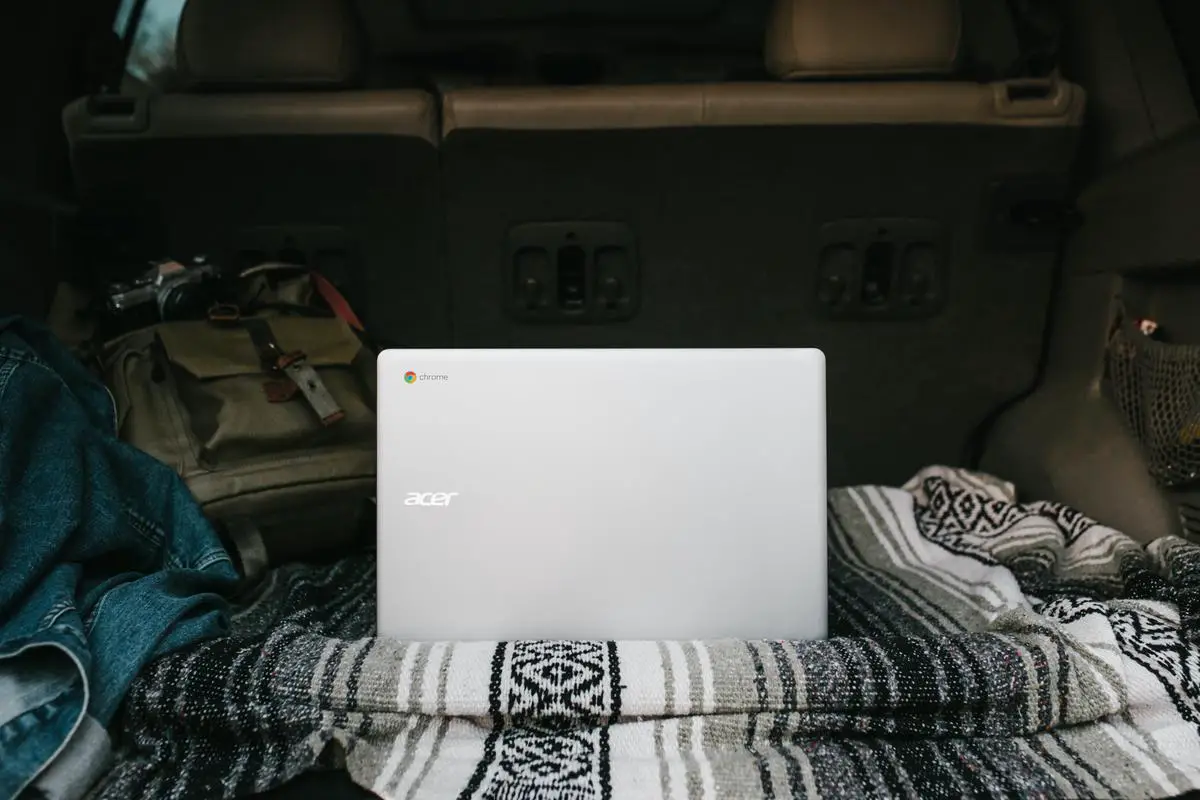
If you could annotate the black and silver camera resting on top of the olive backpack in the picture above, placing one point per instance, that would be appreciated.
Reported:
(170, 291)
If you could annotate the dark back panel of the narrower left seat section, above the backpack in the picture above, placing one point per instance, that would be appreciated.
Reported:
(368, 202)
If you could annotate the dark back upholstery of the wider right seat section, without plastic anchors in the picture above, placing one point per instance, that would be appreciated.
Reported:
(728, 222)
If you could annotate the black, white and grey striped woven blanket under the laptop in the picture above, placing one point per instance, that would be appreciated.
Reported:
(982, 649)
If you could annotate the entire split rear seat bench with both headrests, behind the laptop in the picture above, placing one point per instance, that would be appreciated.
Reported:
(867, 202)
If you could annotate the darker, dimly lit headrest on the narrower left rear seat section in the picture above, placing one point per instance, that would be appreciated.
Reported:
(269, 45)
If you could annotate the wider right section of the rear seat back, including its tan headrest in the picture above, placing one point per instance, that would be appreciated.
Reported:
(893, 224)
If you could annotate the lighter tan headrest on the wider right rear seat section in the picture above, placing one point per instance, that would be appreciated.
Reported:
(829, 39)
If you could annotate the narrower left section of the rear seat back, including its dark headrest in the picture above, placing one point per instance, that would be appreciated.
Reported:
(269, 151)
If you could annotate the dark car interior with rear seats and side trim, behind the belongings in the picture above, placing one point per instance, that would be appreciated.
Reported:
(973, 208)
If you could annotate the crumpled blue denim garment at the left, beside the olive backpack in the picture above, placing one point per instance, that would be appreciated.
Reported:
(106, 561)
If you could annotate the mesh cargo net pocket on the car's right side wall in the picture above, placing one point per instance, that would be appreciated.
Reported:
(1157, 388)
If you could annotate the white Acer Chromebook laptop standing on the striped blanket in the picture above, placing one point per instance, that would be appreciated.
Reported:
(602, 495)
